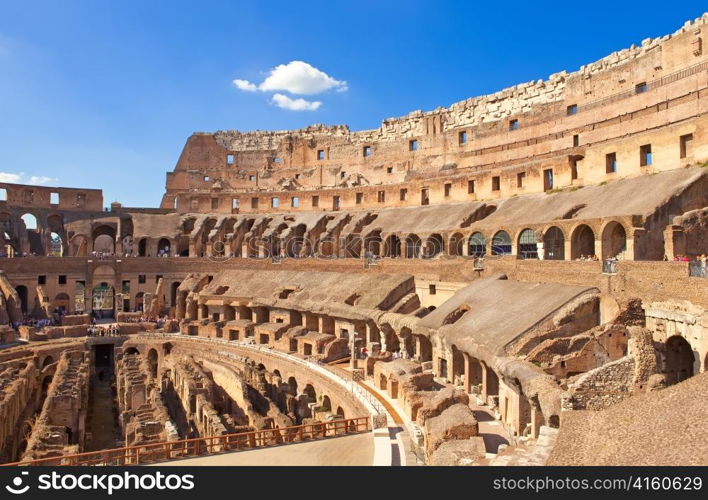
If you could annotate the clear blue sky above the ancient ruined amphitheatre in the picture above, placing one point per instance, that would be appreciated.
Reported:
(104, 94)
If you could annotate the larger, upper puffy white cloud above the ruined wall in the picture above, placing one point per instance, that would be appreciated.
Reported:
(296, 77)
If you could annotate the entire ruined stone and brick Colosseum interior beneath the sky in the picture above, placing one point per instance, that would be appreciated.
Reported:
(516, 279)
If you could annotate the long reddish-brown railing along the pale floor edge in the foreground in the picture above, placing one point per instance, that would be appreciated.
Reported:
(195, 447)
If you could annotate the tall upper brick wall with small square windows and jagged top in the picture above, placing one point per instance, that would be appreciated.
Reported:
(648, 94)
